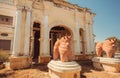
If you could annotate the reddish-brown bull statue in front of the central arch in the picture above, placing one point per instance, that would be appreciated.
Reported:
(62, 49)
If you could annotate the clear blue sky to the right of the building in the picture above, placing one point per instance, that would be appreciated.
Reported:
(107, 19)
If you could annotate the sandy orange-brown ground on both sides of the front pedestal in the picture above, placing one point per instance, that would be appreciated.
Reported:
(41, 71)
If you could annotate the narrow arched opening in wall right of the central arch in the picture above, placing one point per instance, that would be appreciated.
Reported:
(81, 33)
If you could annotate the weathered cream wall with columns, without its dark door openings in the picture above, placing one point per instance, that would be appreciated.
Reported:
(48, 14)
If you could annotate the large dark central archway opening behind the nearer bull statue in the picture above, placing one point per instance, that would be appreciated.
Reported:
(56, 33)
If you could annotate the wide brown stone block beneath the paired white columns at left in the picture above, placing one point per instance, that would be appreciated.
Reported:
(20, 62)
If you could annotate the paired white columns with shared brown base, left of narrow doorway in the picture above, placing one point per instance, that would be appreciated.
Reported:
(21, 36)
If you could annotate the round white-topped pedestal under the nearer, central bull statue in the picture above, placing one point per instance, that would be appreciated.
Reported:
(58, 69)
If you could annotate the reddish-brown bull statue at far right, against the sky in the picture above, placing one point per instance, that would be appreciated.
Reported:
(108, 46)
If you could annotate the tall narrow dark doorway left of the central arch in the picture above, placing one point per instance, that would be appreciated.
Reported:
(36, 47)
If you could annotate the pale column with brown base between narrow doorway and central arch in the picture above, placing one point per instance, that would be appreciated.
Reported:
(44, 50)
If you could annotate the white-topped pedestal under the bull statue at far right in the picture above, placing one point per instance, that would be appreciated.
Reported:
(107, 64)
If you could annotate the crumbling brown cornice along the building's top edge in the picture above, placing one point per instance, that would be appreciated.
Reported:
(63, 3)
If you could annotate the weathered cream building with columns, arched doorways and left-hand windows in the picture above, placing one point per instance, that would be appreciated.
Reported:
(31, 27)
